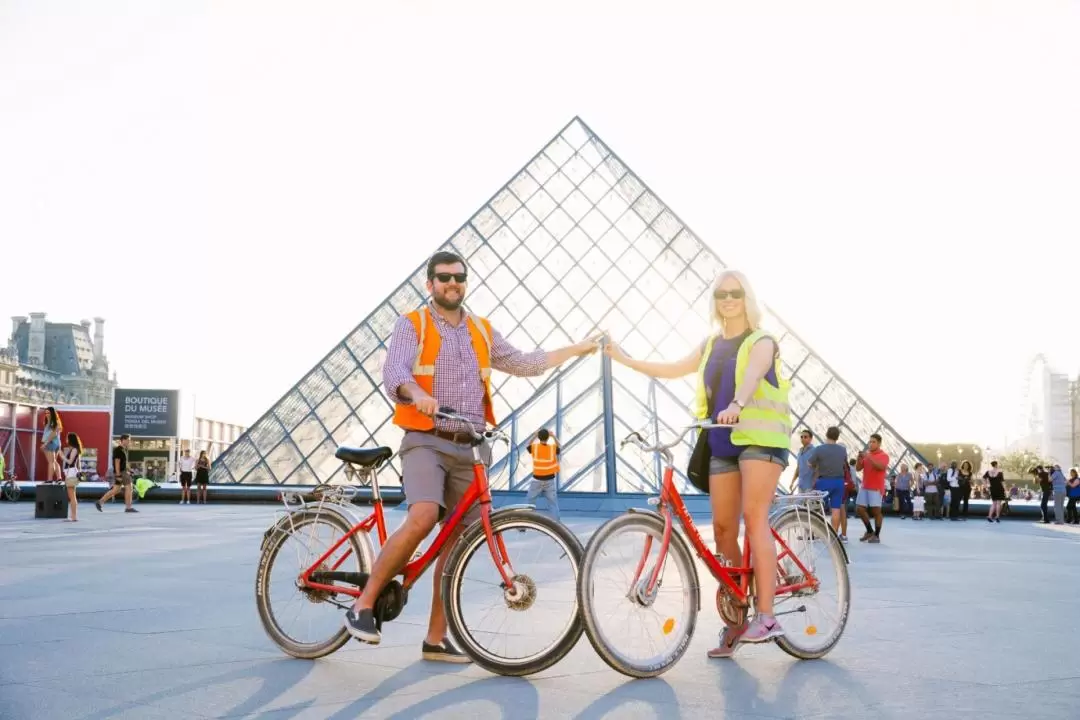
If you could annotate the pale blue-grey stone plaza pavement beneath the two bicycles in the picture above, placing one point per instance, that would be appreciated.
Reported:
(153, 616)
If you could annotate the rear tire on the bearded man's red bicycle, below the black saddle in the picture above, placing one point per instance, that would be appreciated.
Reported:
(274, 545)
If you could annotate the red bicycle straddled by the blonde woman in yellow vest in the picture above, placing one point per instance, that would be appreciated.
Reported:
(656, 590)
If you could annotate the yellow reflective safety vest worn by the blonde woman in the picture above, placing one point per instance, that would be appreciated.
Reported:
(767, 418)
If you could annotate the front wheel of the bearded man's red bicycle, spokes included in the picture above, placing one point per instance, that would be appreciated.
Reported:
(534, 626)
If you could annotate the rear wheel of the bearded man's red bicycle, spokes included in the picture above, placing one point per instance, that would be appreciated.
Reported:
(315, 533)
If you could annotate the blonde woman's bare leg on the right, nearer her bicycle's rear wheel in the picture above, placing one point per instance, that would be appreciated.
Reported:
(760, 479)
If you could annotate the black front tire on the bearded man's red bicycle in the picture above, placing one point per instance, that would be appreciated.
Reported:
(475, 540)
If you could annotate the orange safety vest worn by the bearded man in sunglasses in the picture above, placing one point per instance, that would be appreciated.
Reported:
(424, 369)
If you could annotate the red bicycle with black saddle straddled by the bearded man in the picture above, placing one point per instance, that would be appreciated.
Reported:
(331, 573)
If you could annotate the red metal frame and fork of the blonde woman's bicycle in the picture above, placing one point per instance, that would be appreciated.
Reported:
(671, 504)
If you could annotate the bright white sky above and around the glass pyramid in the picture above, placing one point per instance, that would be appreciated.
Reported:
(900, 178)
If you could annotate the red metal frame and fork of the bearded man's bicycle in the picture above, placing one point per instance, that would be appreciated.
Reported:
(478, 492)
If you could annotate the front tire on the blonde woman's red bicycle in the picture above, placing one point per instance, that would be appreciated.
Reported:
(679, 552)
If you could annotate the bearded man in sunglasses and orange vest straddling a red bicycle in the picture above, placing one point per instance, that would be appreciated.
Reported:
(441, 356)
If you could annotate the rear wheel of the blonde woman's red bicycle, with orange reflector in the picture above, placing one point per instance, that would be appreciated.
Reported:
(814, 619)
